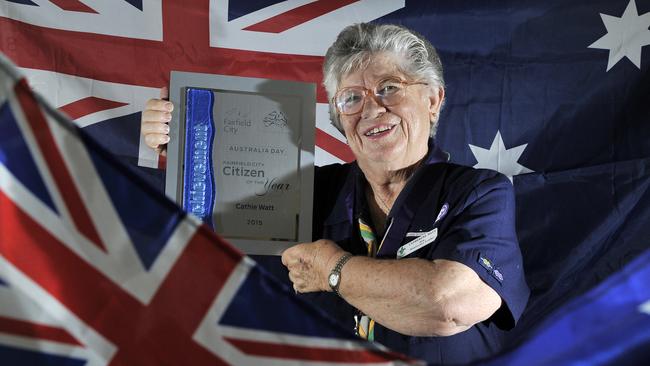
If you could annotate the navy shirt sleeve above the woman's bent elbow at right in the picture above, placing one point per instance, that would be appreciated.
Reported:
(480, 233)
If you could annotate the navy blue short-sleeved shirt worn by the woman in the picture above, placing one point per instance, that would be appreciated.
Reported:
(445, 211)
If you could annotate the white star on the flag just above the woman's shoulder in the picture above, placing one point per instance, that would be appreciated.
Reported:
(498, 158)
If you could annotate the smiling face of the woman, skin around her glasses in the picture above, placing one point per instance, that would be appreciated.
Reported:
(394, 137)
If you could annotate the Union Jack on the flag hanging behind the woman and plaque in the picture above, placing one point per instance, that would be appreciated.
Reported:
(100, 61)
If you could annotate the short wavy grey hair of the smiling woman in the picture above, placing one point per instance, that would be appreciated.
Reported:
(357, 43)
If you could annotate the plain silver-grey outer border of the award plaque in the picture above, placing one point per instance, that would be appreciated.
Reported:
(306, 92)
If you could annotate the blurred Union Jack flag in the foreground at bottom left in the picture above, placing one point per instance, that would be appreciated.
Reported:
(88, 280)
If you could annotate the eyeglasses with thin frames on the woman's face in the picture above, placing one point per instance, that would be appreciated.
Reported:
(387, 92)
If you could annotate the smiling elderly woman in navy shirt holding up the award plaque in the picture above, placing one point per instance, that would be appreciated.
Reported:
(414, 252)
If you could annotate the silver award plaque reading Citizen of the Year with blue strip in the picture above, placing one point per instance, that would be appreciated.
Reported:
(241, 157)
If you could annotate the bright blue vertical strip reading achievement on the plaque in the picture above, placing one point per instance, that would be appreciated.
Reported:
(198, 176)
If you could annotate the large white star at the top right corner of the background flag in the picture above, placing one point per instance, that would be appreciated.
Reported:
(625, 36)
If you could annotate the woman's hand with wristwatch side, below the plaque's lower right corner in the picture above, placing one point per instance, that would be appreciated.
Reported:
(309, 264)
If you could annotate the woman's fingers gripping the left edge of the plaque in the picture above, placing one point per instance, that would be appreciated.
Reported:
(154, 124)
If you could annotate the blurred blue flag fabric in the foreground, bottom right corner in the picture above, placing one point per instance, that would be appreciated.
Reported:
(609, 325)
